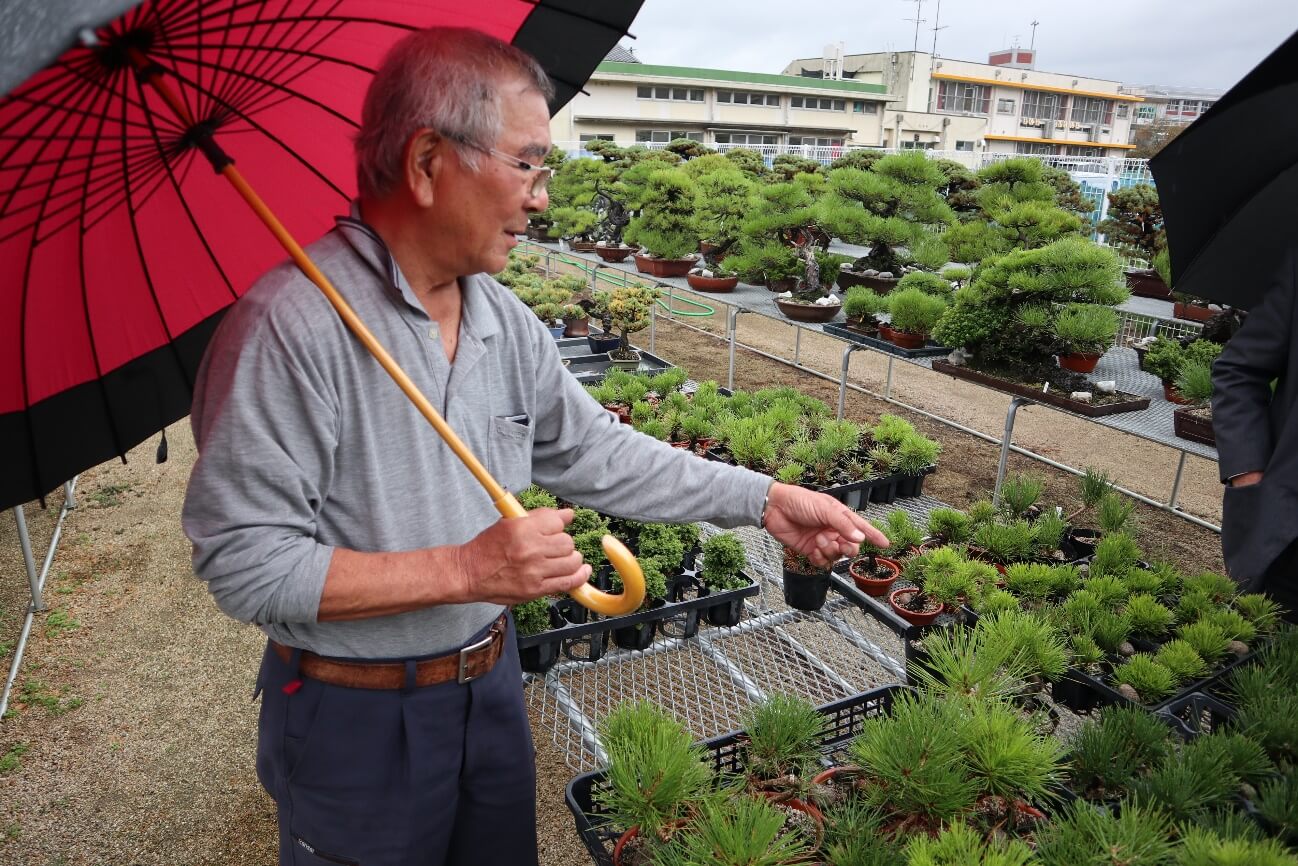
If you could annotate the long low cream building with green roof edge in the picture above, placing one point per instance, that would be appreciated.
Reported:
(630, 102)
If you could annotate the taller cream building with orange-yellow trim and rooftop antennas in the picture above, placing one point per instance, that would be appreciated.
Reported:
(1000, 107)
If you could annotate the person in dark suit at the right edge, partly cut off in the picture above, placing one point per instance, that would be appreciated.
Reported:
(1257, 438)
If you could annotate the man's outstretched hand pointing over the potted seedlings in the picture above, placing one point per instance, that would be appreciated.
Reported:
(817, 526)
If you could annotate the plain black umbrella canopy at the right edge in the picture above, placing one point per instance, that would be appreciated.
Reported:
(1229, 186)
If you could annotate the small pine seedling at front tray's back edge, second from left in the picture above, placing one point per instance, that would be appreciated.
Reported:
(783, 738)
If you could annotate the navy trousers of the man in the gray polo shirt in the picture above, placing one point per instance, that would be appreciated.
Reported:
(443, 776)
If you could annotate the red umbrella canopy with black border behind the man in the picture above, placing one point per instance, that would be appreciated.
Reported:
(119, 246)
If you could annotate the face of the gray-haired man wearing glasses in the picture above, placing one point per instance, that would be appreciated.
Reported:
(482, 211)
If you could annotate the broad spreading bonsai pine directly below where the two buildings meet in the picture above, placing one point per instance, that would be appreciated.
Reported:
(883, 208)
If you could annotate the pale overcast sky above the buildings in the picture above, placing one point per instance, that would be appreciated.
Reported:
(1188, 43)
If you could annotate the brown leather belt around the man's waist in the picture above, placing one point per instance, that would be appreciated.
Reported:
(463, 667)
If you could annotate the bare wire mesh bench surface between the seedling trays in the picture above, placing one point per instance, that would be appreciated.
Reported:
(709, 681)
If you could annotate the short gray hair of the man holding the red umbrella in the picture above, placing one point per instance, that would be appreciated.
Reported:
(441, 79)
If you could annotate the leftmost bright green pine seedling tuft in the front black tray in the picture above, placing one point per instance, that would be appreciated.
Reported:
(656, 774)
